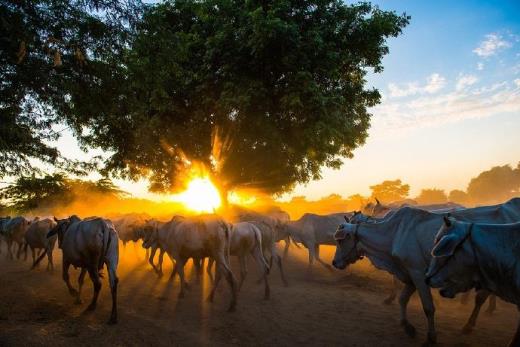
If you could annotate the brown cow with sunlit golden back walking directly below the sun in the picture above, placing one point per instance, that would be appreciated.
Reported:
(200, 237)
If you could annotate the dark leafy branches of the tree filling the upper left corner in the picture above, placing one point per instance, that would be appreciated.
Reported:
(45, 46)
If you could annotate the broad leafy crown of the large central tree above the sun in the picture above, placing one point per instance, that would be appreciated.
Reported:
(264, 94)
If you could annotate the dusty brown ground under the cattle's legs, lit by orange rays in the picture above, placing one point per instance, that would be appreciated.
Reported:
(339, 308)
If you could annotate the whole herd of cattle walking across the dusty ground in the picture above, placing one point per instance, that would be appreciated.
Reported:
(447, 246)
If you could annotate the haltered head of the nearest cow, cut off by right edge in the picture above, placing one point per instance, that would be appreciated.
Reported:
(452, 267)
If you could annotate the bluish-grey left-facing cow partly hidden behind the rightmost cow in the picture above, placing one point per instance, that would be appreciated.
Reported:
(401, 245)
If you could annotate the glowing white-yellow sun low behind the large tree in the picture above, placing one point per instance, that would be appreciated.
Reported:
(201, 195)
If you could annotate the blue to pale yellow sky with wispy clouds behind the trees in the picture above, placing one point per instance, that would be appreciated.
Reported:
(450, 102)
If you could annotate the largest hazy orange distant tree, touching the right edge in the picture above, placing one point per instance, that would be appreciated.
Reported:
(496, 185)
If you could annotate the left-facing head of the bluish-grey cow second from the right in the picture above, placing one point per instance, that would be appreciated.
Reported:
(346, 245)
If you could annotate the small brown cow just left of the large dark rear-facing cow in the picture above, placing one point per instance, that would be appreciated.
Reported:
(36, 239)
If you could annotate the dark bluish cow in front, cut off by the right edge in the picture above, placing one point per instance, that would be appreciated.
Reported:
(470, 255)
